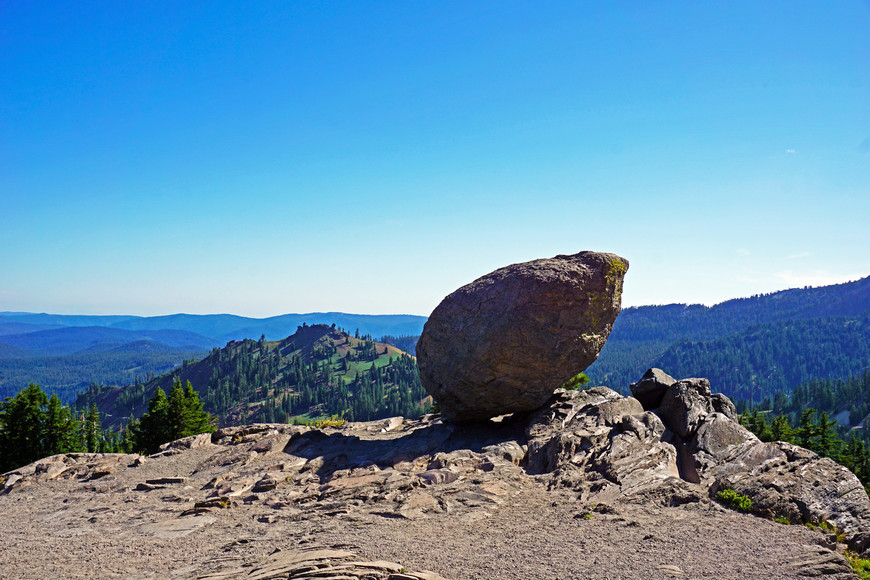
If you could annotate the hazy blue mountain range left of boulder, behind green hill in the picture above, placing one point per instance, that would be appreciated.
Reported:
(66, 353)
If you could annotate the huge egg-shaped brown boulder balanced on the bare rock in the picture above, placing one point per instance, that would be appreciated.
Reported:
(506, 341)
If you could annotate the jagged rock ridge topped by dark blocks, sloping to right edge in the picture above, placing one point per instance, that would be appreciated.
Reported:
(781, 479)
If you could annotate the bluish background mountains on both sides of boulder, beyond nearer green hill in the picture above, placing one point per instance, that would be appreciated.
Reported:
(750, 348)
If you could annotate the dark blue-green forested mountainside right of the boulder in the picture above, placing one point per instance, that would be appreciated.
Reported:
(750, 347)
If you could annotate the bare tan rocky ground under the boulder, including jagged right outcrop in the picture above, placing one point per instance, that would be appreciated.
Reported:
(591, 485)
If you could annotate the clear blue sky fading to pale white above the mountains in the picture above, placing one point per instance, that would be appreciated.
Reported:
(257, 159)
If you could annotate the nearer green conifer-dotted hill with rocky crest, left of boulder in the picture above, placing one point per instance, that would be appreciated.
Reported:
(318, 371)
